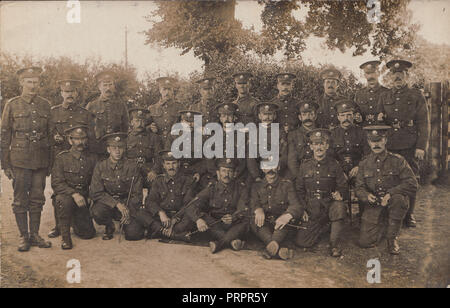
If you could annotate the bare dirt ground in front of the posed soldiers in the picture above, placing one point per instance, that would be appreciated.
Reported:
(424, 261)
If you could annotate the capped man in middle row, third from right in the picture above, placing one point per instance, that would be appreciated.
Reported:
(267, 113)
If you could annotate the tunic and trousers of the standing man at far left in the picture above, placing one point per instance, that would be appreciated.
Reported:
(25, 148)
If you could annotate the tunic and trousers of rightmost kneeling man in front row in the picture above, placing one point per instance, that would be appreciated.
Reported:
(379, 175)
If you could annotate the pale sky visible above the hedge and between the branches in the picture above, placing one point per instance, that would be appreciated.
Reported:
(40, 29)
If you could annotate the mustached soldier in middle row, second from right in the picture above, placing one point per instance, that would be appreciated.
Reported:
(298, 143)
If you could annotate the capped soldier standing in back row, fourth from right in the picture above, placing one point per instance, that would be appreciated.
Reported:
(288, 104)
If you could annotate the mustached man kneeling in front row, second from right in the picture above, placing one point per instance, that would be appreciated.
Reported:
(321, 185)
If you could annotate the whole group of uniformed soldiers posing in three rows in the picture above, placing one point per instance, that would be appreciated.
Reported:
(103, 157)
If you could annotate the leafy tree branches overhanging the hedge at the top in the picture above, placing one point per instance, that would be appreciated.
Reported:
(209, 28)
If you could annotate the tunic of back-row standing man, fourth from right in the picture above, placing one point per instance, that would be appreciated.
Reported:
(287, 114)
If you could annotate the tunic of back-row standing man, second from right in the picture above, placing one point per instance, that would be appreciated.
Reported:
(366, 100)
